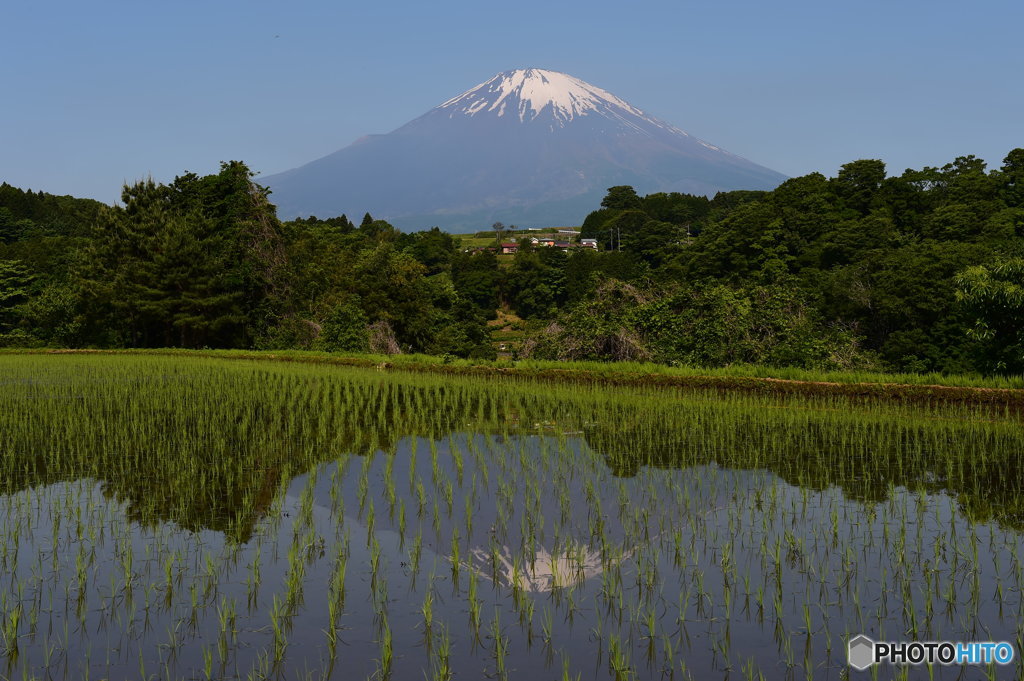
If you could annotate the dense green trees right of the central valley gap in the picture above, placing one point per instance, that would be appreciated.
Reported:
(919, 272)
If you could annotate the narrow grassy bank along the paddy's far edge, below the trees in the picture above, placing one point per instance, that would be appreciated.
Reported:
(998, 391)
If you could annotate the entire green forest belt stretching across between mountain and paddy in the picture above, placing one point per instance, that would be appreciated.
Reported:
(922, 272)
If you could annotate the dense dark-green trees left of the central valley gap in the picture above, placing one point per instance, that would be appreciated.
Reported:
(205, 263)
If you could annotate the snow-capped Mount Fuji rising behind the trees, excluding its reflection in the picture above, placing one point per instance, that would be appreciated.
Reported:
(530, 147)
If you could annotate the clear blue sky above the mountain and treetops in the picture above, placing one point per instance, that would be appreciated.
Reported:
(97, 94)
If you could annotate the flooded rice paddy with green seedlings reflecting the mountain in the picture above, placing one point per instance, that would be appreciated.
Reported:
(178, 518)
